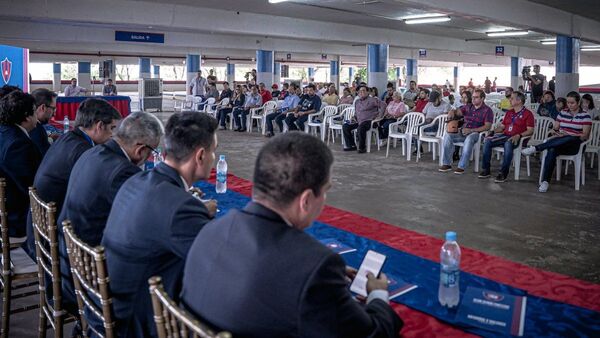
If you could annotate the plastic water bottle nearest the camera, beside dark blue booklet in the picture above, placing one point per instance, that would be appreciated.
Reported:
(448, 293)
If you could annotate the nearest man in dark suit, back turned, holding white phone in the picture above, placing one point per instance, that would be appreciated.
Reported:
(255, 273)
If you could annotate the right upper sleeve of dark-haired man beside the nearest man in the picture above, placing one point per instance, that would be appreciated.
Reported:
(188, 221)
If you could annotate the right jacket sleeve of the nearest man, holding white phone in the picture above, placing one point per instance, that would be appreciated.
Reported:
(328, 309)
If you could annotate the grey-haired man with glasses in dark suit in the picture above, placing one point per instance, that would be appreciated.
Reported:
(95, 180)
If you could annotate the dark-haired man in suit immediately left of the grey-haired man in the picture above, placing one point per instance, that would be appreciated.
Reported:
(96, 119)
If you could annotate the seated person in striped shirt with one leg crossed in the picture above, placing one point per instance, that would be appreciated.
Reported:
(571, 128)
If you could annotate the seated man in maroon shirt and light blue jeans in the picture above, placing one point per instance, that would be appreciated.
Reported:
(478, 117)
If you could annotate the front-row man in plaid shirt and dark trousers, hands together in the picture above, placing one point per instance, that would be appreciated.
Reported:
(366, 109)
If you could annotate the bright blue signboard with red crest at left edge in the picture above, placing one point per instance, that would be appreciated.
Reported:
(14, 63)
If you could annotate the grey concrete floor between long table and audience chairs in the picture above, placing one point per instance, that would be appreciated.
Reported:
(557, 231)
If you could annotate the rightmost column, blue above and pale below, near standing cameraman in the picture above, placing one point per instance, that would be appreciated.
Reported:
(567, 65)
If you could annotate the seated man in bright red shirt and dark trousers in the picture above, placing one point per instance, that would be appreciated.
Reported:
(517, 124)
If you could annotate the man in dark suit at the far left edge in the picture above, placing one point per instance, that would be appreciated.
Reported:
(19, 158)
